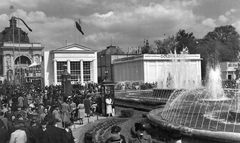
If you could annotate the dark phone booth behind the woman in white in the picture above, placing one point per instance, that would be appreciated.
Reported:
(107, 88)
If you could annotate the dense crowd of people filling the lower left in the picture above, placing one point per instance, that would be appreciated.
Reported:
(31, 114)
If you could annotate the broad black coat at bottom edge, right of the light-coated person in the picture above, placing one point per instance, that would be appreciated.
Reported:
(55, 135)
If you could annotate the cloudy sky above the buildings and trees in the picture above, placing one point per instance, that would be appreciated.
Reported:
(126, 22)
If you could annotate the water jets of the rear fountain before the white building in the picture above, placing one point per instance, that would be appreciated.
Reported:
(178, 74)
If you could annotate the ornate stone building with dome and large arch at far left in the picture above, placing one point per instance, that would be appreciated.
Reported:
(17, 53)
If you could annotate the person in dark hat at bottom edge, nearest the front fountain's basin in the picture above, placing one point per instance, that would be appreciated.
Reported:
(139, 135)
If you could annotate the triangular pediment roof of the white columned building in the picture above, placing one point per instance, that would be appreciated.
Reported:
(74, 48)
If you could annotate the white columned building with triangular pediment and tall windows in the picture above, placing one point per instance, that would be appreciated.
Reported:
(81, 63)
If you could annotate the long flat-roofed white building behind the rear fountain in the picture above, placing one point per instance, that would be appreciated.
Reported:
(169, 71)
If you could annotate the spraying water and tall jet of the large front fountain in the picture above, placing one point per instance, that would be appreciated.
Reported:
(205, 108)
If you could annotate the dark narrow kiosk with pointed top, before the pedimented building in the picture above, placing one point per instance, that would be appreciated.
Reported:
(66, 82)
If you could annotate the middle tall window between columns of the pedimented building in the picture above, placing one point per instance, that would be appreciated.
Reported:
(75, 71)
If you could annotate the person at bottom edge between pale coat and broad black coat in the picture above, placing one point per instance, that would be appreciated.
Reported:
(41, 132)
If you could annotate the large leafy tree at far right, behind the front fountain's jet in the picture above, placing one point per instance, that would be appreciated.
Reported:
(220, 45)
